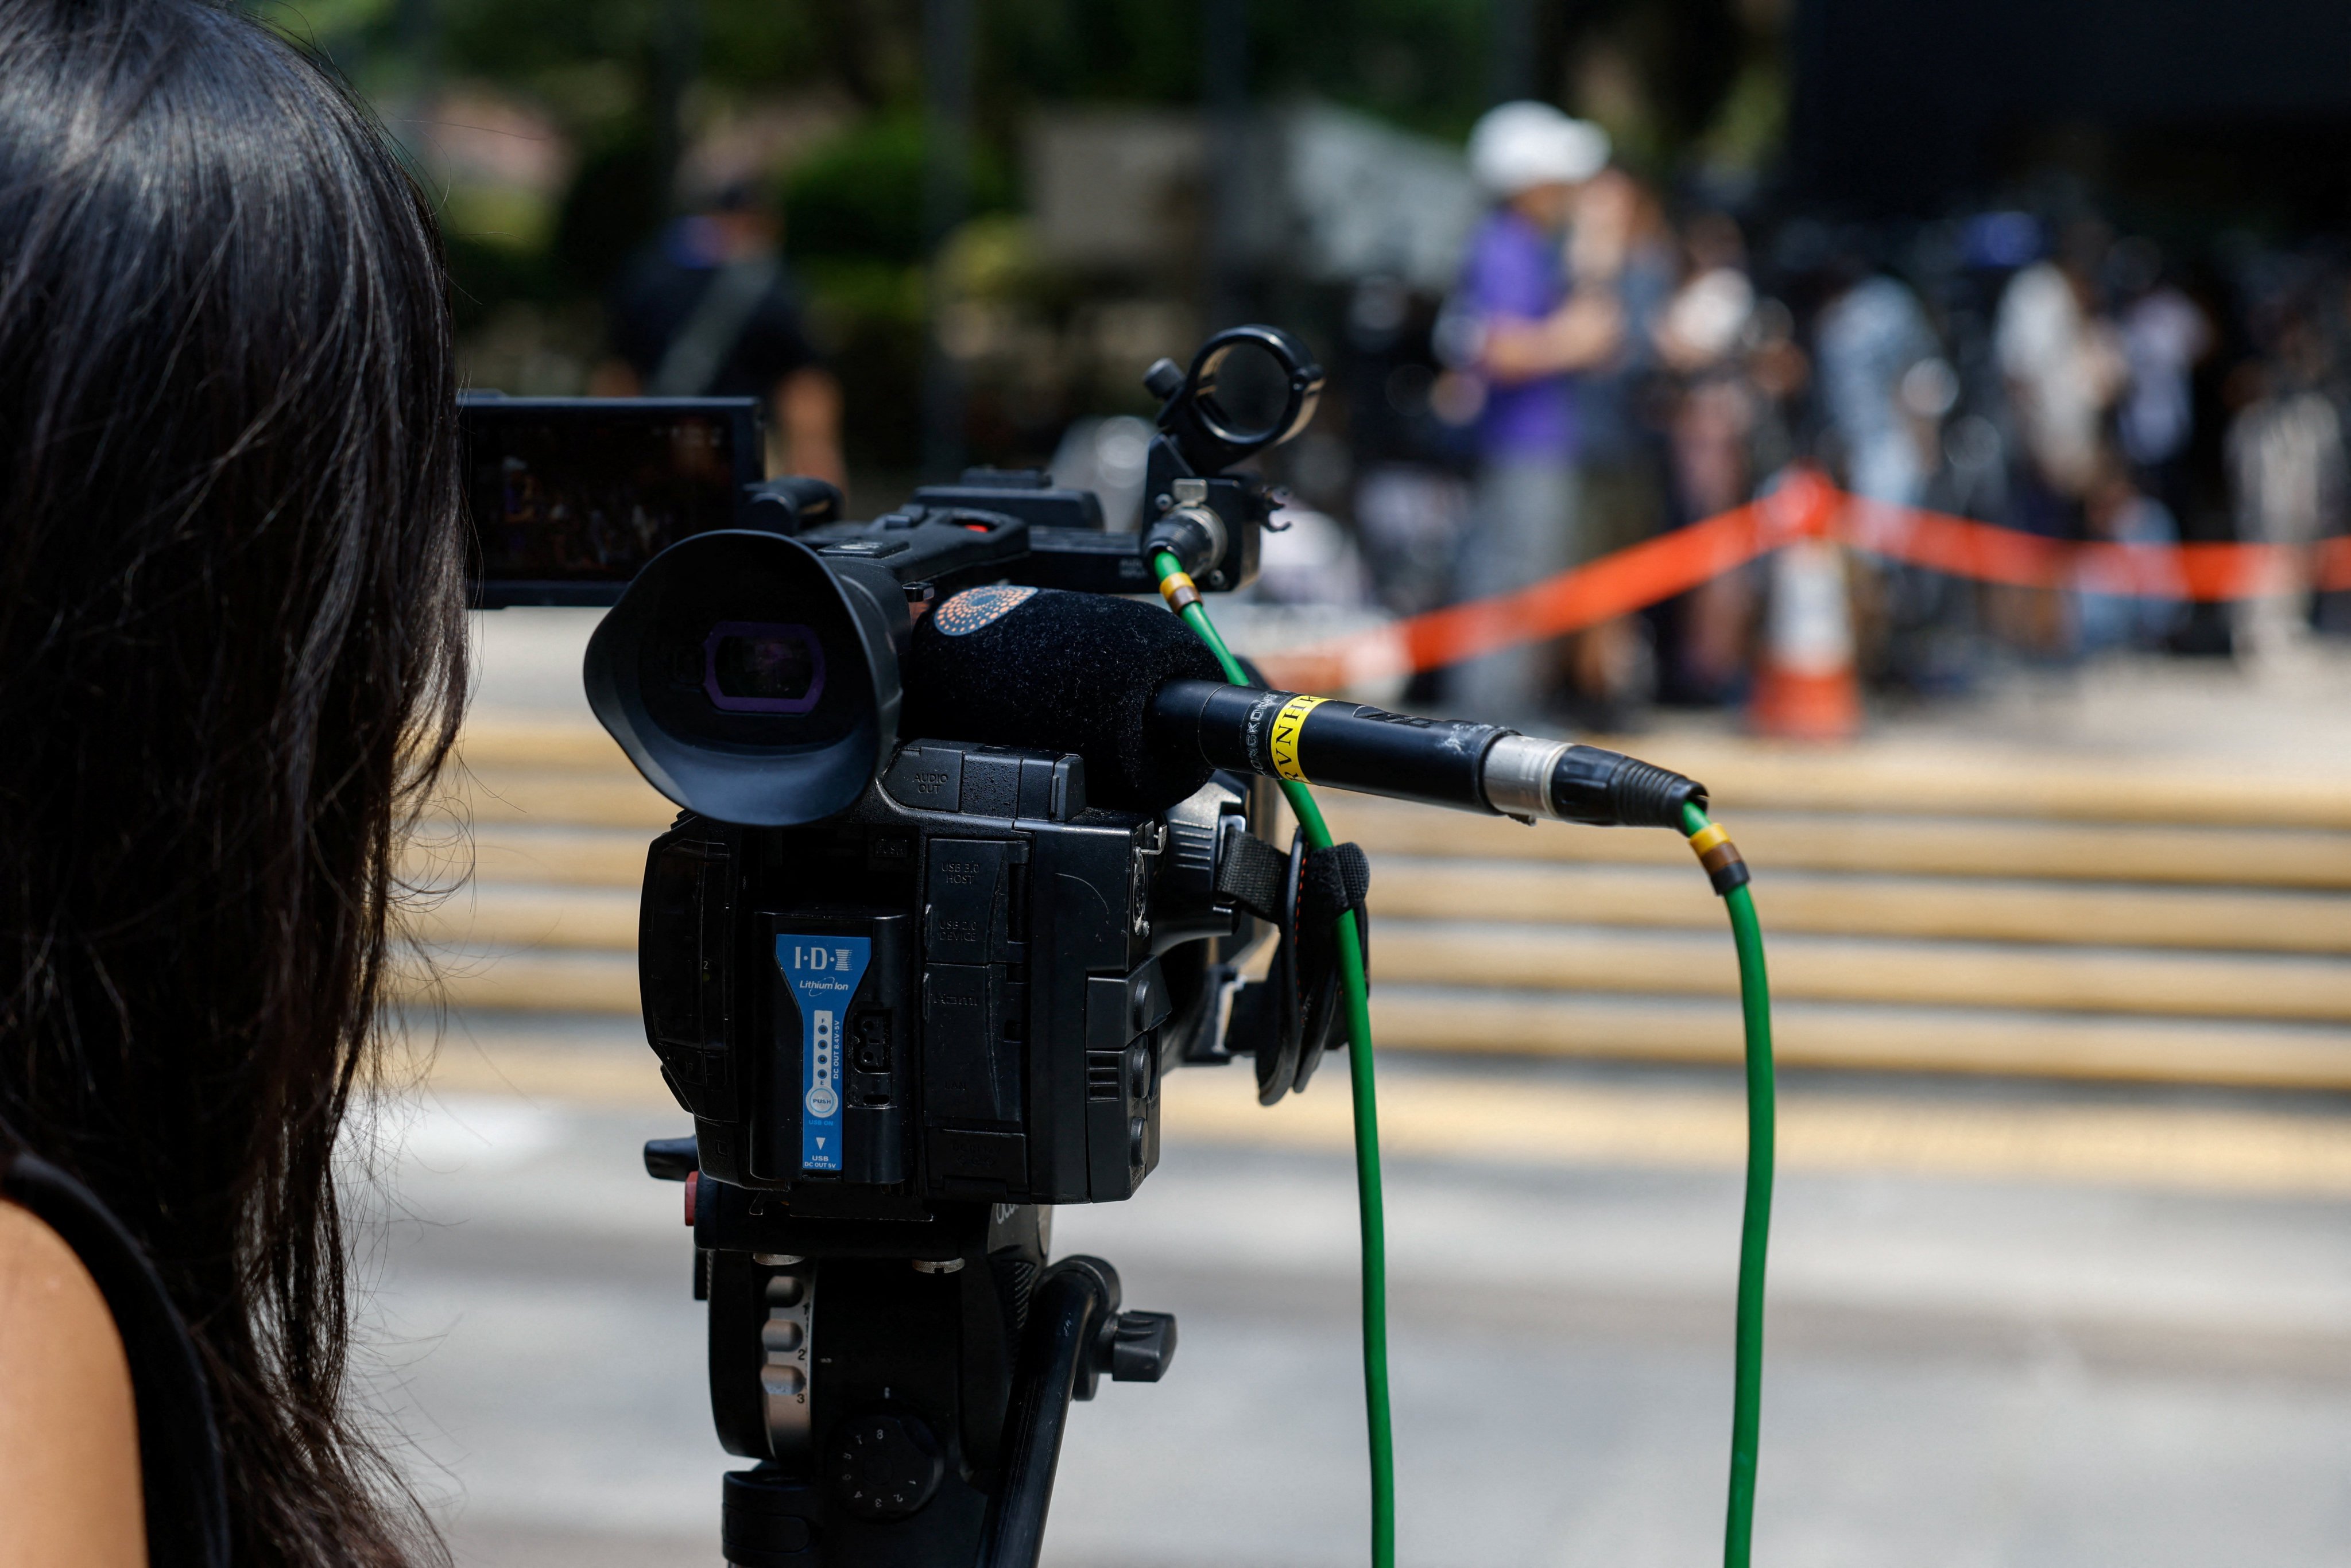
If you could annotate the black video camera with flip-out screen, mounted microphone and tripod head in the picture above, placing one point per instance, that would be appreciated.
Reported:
(970, 857)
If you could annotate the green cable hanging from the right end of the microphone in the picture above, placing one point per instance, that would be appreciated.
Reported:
(1755, 1219)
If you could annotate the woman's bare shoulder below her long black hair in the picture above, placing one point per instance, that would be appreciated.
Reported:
(69, 1428)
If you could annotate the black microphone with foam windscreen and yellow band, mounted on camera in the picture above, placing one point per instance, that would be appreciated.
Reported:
(1134, 692)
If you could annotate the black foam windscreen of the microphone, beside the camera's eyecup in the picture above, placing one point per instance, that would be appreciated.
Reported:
(1059, 674)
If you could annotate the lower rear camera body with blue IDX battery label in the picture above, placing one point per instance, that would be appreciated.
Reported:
(965, 989)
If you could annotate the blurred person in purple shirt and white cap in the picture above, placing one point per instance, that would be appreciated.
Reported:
(1529, 314)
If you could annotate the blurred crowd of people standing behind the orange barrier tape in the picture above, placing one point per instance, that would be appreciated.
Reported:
(1612, 368)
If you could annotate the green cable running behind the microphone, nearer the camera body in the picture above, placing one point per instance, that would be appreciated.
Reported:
(1367, 1130)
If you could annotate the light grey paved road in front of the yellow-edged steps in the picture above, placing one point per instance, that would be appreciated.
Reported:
(1962, 1372)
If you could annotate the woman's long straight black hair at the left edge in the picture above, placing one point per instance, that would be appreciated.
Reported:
(232, 657)
